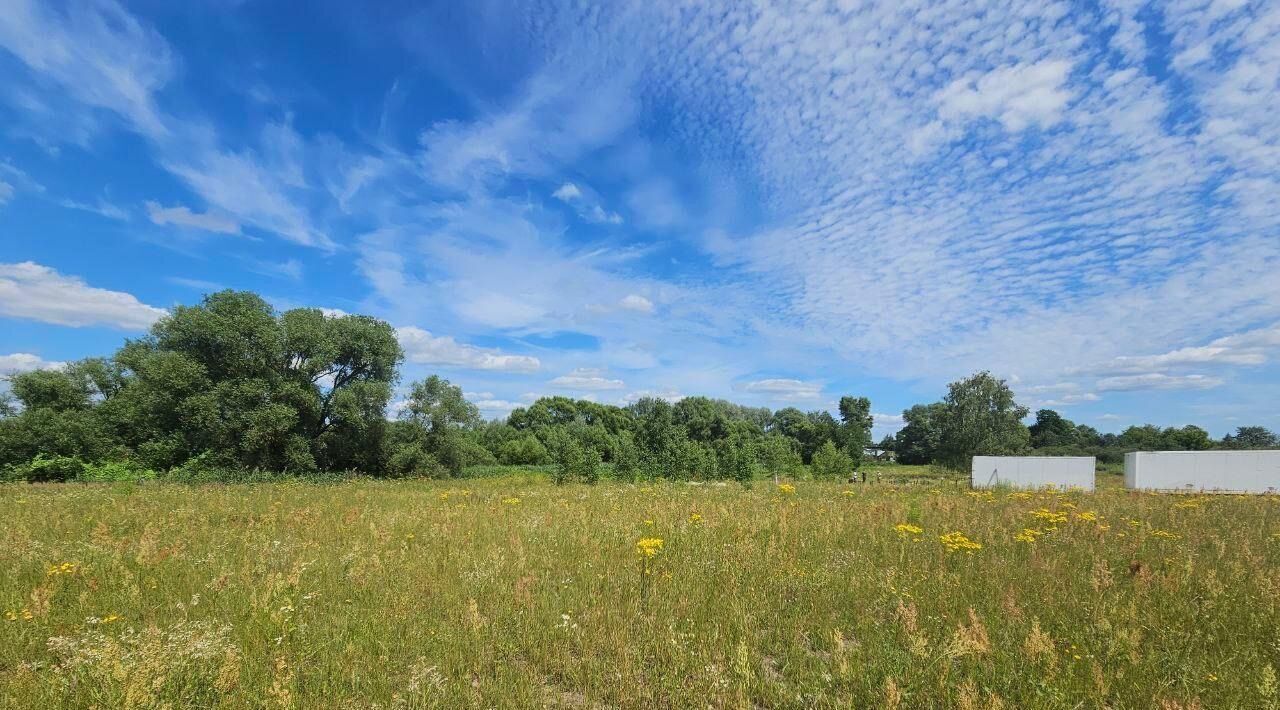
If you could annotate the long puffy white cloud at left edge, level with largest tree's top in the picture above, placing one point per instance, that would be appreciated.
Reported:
(36, 292)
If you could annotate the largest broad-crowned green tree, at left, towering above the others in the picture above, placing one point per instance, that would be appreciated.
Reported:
(250, 388)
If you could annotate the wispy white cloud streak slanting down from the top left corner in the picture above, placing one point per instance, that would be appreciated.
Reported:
(109, 63)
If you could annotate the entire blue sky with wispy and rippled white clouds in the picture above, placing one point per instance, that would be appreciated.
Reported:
(775, 204)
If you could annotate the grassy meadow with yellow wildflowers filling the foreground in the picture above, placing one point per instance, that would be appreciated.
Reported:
(511, 593)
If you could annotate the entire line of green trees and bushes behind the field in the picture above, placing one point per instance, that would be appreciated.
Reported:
(231, 387)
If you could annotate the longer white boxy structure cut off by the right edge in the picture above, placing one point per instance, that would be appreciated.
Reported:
(1204, 471)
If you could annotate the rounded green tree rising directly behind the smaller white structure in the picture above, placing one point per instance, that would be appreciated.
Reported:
(981, 418)
